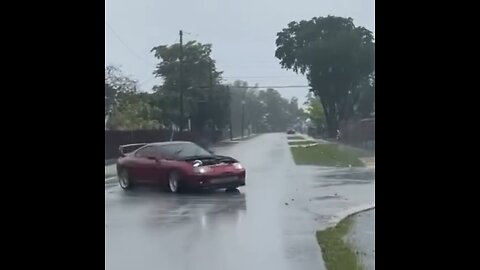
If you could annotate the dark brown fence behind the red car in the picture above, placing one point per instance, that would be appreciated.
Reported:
(115, 138)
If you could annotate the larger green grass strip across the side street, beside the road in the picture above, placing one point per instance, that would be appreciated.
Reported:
(325, 155)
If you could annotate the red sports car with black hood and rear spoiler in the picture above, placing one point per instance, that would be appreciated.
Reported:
(176, 165)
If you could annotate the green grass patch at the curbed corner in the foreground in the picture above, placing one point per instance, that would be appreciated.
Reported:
(336, 252)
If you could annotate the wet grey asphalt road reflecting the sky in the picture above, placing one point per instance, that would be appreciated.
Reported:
(269, 224)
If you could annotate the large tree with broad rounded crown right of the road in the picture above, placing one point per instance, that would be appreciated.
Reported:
(335, 55)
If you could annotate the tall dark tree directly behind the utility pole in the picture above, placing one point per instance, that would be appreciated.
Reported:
(205, 100)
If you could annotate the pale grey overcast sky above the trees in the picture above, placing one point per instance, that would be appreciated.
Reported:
(242, 34)
